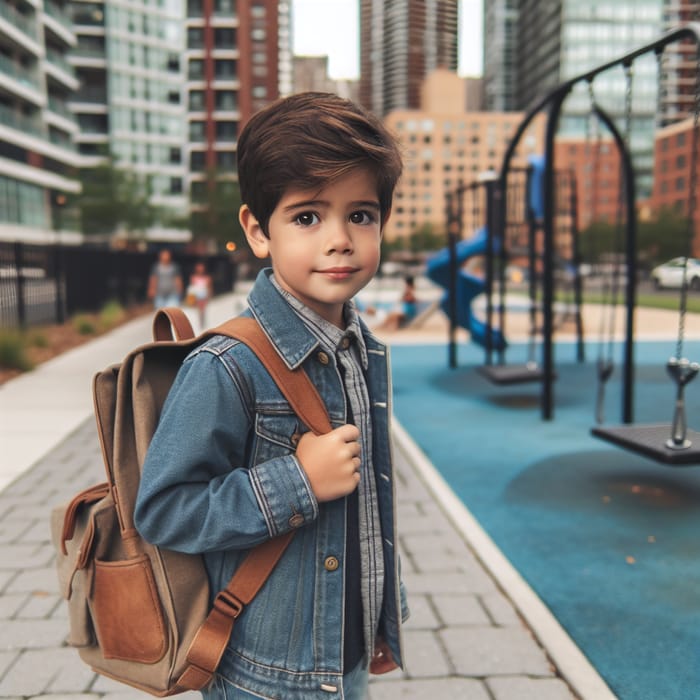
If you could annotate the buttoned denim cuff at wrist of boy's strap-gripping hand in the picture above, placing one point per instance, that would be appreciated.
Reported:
(284, 494)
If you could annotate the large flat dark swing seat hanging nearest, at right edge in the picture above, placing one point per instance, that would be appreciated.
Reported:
(650, 441)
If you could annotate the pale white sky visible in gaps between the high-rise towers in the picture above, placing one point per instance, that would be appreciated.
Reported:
(329, 27)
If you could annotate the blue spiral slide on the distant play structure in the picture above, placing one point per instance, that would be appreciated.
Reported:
(468, 287)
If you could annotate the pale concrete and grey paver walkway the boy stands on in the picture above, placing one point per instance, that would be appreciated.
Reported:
(477, 632)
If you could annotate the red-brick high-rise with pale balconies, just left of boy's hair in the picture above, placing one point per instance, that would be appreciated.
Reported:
(237, 60)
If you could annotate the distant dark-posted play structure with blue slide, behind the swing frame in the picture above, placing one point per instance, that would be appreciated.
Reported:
(473, 215)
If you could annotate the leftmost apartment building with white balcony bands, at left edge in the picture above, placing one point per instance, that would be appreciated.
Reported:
(37, 156)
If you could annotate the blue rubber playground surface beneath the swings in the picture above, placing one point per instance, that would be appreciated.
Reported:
(609, 540)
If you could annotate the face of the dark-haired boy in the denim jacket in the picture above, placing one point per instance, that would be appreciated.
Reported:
(324, 244)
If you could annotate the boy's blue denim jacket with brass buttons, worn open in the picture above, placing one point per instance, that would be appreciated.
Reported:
(221, 476)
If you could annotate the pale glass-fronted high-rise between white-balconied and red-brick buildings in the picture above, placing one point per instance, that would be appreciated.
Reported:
(129, 62)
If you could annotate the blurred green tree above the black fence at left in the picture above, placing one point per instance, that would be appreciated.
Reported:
(112, 198)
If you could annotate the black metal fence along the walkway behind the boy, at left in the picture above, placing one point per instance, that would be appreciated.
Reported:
(48, 283)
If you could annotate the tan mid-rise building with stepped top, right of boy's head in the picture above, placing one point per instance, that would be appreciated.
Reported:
(444, 145)
